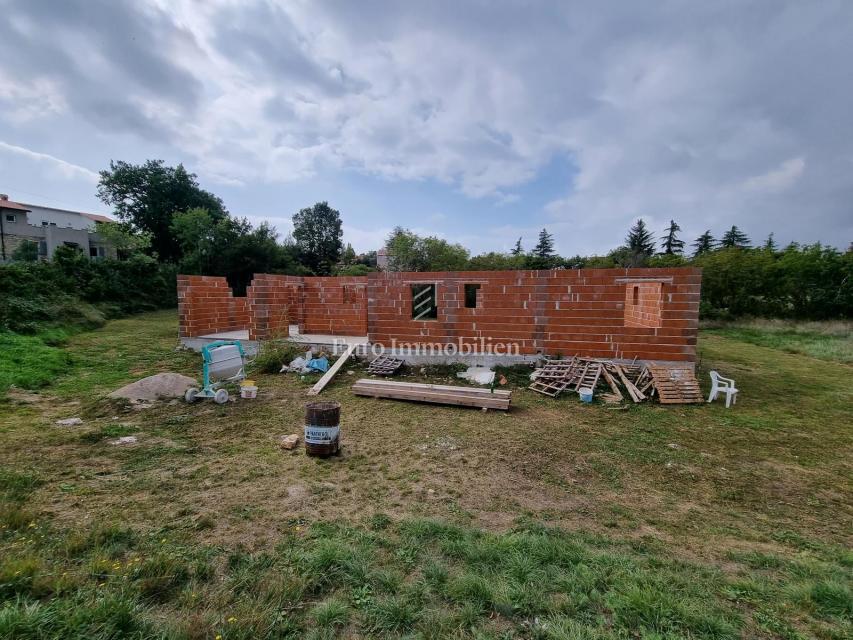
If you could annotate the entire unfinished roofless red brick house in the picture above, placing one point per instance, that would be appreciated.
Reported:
(648, 314)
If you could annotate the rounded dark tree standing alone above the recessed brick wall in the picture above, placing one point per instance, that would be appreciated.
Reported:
(317, 233)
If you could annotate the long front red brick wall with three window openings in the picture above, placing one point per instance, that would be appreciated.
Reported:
(568, 311)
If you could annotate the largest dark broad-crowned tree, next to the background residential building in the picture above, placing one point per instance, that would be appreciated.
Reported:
(147, 196)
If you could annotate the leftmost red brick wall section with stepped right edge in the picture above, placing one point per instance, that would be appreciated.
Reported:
(206, 305)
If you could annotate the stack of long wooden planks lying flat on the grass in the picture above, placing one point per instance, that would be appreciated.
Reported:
(435, 393)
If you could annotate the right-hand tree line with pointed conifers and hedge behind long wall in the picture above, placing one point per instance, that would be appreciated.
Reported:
(810, 281)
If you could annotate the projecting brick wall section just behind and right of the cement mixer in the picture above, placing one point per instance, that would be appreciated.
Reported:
(274, 304)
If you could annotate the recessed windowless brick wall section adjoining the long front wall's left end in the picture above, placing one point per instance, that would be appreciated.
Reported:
(335, 305)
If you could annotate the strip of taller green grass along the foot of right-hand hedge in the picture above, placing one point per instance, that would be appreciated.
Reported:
(826, 341)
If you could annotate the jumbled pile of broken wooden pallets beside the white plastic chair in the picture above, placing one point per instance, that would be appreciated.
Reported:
(673, 384)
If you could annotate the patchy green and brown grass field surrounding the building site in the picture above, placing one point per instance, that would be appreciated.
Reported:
(557, 520)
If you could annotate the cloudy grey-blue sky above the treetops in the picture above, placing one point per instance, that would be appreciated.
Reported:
(476, 121)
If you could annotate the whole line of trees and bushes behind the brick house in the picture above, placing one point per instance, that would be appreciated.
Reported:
(166, 218)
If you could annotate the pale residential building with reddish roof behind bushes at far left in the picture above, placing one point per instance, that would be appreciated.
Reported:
(50, 228)
